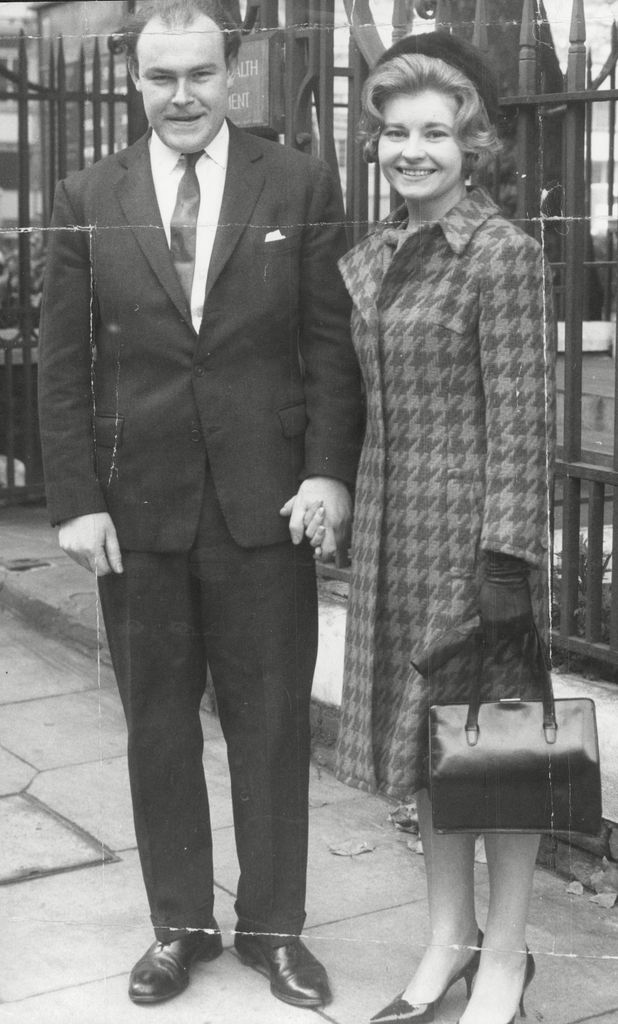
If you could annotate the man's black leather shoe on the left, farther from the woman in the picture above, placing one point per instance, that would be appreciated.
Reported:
(164, 970)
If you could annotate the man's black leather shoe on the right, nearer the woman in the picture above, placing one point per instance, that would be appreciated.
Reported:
(296, 976)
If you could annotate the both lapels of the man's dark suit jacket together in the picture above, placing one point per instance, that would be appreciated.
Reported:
(244, 184)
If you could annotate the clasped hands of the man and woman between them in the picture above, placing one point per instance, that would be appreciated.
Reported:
(323, 511)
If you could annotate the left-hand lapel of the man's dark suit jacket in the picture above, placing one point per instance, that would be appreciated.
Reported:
(139, 201)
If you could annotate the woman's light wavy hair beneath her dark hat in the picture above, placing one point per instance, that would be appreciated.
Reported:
(411, 74)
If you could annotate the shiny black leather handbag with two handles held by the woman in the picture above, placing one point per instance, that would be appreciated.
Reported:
(523, 766)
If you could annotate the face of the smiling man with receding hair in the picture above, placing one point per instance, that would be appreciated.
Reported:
(184, 80)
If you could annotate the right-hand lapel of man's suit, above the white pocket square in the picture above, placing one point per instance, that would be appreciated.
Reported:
(244, 183)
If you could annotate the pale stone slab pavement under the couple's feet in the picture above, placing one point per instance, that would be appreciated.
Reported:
(72, 906)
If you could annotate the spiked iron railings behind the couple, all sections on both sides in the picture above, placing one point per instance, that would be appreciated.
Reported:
(546, 181)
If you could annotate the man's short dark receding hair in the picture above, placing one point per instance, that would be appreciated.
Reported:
(179, 15)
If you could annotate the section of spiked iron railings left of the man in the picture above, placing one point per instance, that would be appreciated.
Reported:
(78, 113)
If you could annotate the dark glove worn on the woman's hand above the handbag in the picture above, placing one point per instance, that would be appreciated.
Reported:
(505, 600)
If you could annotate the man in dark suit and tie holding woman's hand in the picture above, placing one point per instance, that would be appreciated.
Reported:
(197, 387)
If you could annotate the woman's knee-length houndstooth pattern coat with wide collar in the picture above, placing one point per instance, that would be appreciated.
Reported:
(454, 332)
